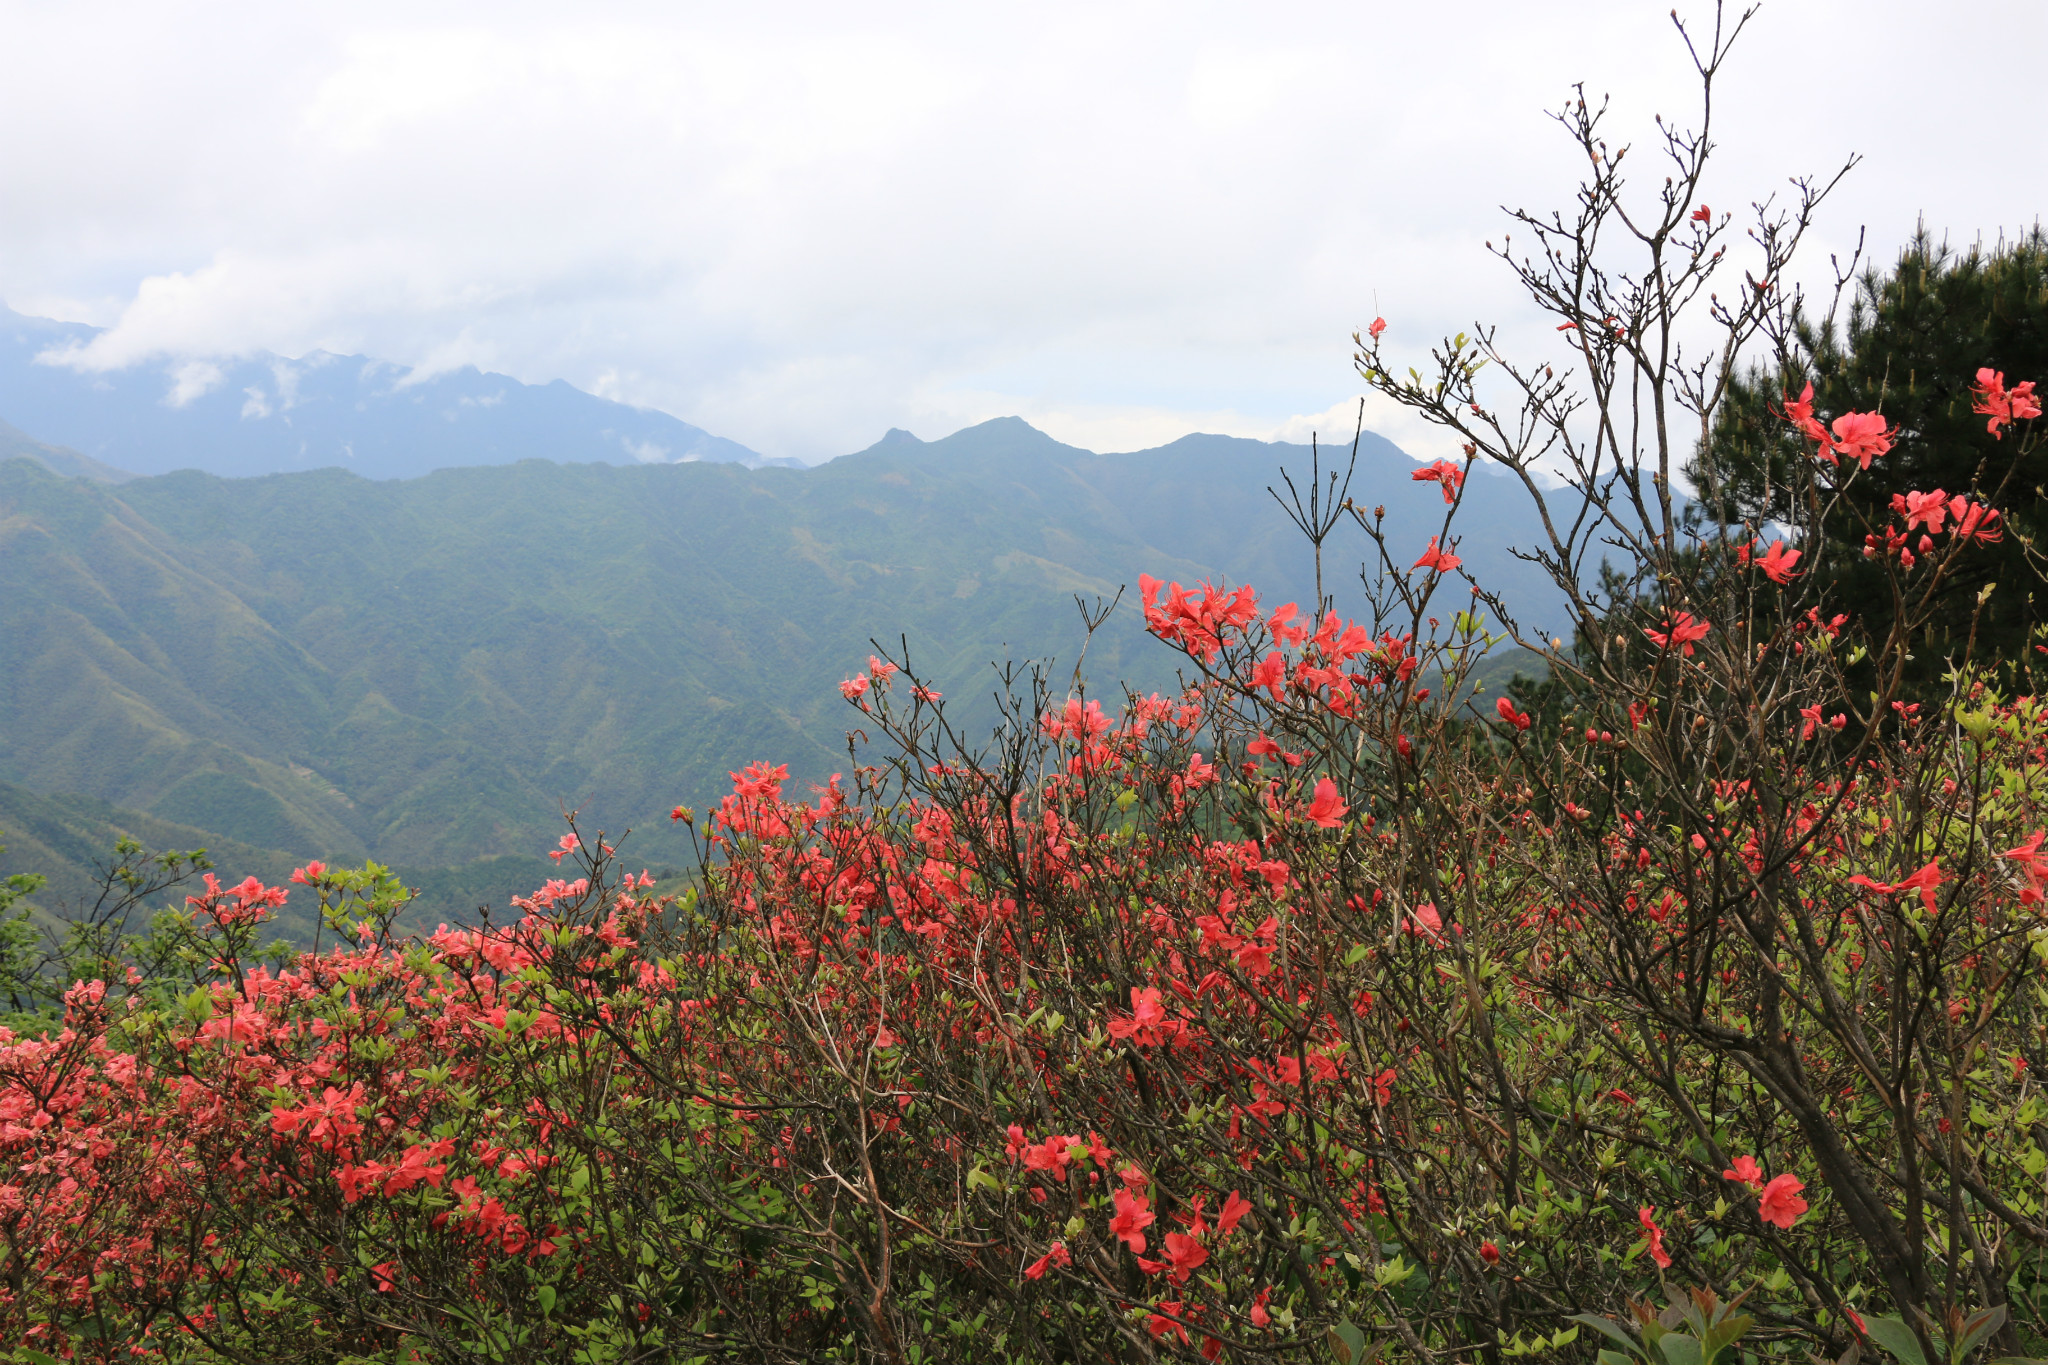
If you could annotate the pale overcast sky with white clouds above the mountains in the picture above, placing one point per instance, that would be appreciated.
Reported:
(804, 224)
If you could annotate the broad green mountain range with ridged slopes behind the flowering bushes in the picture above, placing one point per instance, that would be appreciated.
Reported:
(431, 670)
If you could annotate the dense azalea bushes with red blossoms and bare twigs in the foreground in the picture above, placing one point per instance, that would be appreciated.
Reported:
(1316, 1012)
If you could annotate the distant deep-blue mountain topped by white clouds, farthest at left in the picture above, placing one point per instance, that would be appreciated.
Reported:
(269, 414)
